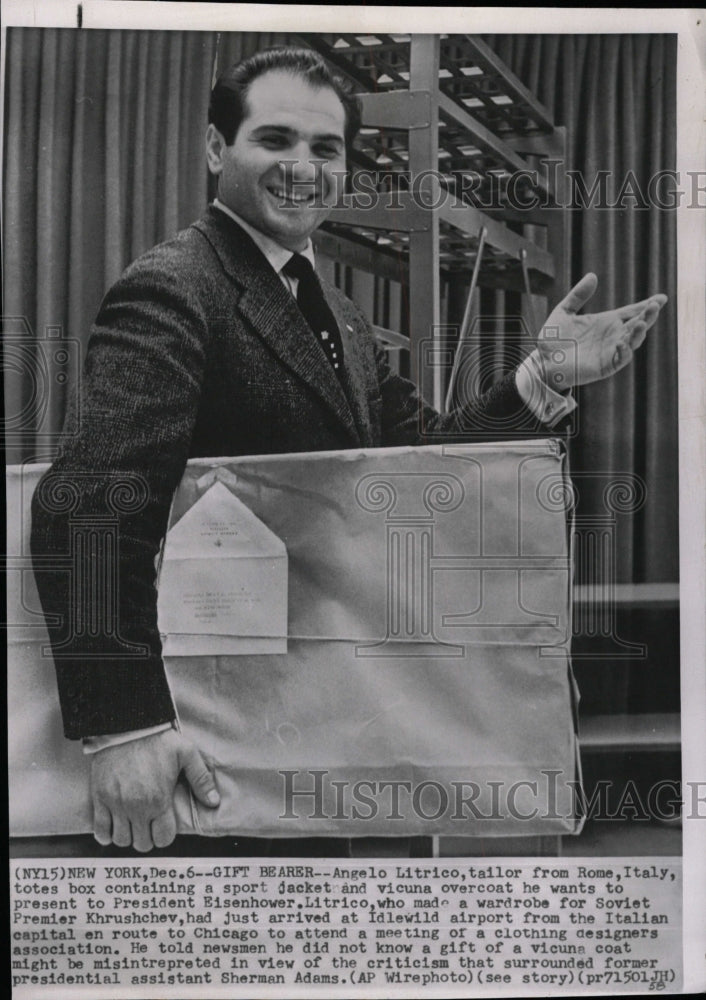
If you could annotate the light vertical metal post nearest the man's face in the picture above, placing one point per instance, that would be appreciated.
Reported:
(424, 278)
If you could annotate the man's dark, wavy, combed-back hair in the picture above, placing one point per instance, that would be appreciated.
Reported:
(228, 104)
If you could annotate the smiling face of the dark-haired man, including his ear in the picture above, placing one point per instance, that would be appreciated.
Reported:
(286, 120)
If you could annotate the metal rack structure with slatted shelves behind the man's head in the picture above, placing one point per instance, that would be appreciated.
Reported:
(448, 135)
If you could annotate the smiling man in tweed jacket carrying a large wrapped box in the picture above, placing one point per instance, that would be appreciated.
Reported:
(223, 341)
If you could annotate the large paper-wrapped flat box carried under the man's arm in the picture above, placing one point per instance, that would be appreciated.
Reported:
(360, 642)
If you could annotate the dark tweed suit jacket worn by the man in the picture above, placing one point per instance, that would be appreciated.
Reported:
(198, 350)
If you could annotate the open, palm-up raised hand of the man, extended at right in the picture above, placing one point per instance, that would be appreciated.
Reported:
(574, 350)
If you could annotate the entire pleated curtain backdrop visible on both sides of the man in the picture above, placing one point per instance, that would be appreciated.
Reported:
(104, 157)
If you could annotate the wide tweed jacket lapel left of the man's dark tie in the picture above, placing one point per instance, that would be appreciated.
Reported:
(269, 308)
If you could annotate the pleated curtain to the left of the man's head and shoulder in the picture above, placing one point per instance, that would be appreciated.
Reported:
(103, 158)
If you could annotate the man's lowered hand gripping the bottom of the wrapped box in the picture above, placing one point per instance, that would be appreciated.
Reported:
(133, 789)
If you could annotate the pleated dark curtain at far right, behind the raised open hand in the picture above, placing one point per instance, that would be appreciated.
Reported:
(616, 94)
